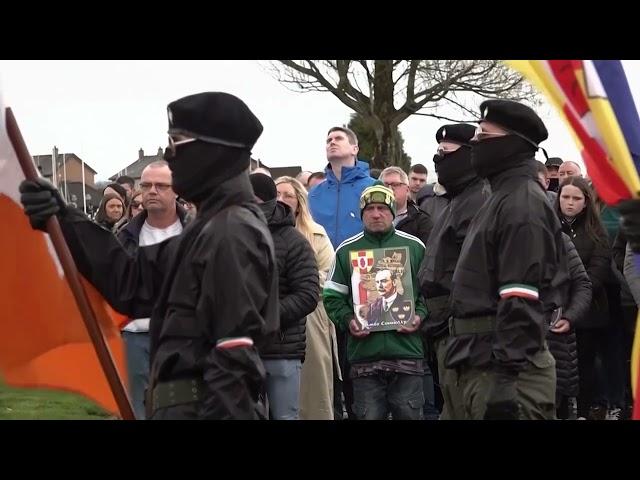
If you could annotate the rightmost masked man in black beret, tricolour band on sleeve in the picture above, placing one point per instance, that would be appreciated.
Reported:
(505, 282)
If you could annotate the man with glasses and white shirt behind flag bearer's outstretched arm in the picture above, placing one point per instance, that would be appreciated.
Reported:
(161, 218)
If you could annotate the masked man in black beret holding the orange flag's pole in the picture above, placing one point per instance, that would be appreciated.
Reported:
(212, 291)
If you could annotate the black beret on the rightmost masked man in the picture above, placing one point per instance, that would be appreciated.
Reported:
(516, 117)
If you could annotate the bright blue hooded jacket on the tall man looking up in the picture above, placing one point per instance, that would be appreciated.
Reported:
(335, 204)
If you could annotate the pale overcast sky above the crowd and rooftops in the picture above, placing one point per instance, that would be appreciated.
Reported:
(104, 111)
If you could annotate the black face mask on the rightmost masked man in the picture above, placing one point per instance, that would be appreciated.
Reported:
(491, 156)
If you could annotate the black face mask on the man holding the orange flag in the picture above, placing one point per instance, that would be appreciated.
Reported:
(198, 168)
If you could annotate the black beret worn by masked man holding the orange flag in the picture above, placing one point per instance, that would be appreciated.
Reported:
(215, 117)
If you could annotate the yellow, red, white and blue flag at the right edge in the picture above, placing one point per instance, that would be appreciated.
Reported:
(594, 98)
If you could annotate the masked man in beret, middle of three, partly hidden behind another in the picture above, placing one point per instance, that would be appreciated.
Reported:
(467, 193)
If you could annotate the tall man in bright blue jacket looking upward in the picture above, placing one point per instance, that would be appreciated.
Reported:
(335, 204)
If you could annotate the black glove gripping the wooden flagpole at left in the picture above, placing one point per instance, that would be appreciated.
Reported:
(41, 200)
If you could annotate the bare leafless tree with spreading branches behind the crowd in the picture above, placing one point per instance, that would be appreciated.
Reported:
(386, 92)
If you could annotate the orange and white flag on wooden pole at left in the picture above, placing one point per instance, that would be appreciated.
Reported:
(44, 342)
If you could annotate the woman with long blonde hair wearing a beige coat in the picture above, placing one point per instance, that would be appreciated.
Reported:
(316, 380)
